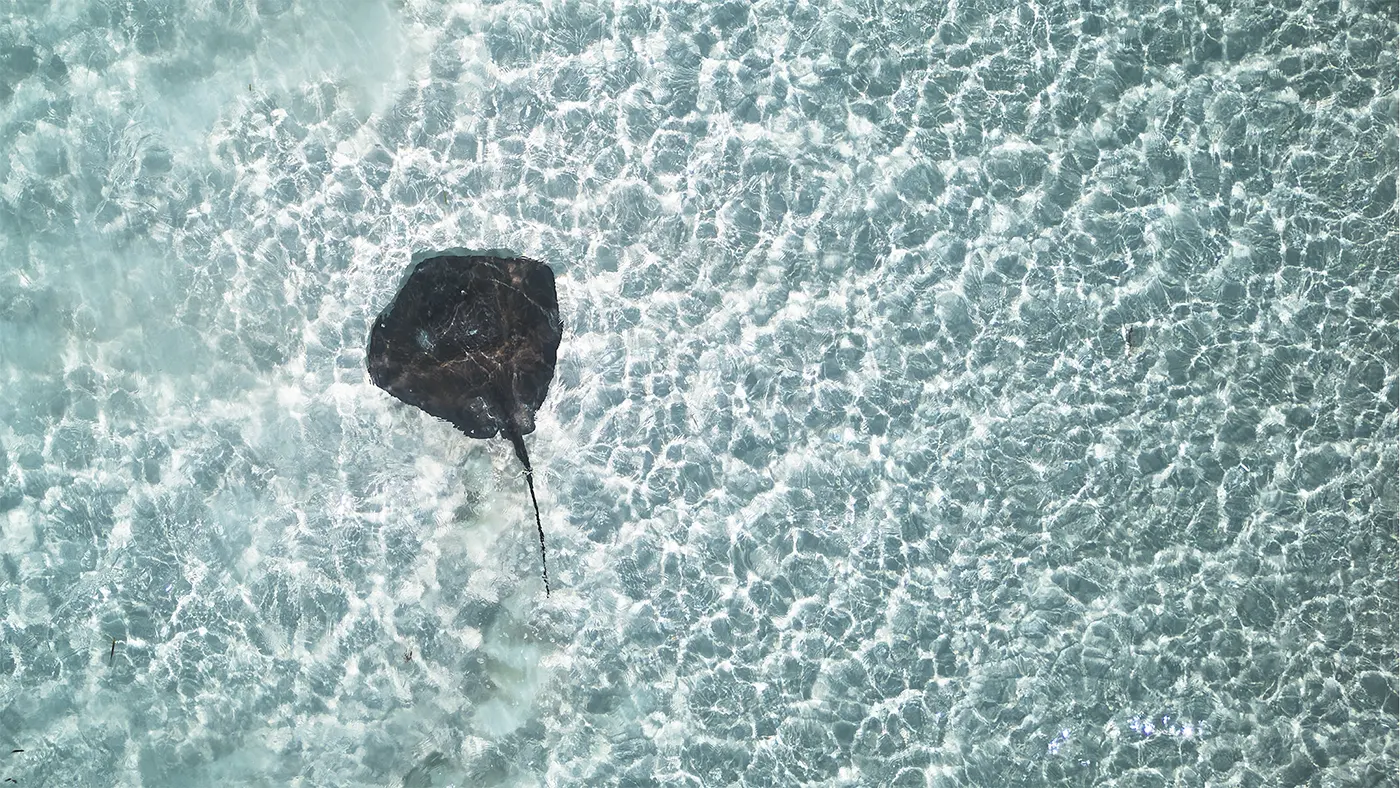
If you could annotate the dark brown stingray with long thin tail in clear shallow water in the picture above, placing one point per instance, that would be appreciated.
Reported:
(474, 341)
